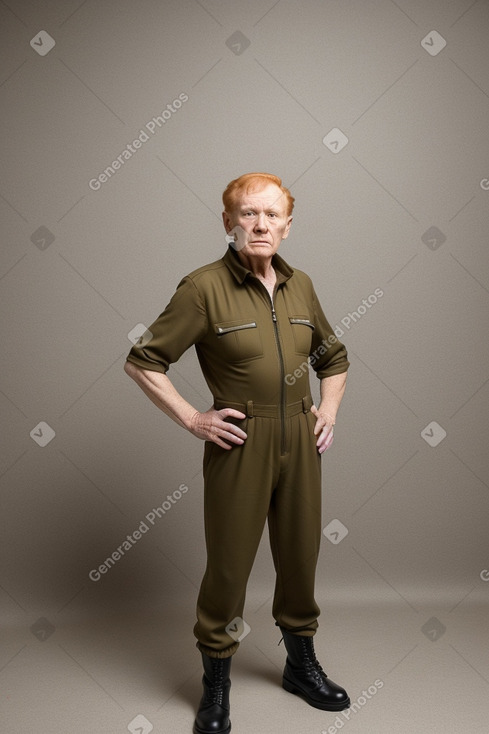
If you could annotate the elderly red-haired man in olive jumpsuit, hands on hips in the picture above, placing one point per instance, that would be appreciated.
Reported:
(256, 324)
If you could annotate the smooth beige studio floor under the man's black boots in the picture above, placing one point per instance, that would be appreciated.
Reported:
(139, 671)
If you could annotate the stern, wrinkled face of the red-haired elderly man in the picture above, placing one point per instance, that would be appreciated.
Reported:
(259, 221)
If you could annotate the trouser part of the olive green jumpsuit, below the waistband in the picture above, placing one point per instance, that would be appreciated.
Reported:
(242, 488)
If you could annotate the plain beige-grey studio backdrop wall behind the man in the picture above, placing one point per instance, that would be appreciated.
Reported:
(375, 114)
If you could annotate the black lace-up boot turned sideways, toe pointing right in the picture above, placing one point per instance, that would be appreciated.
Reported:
(304, 676)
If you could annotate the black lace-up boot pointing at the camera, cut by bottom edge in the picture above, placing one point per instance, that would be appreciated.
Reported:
(213, 714)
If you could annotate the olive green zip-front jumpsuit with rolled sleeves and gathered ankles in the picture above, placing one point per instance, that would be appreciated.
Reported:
(254, 357)
